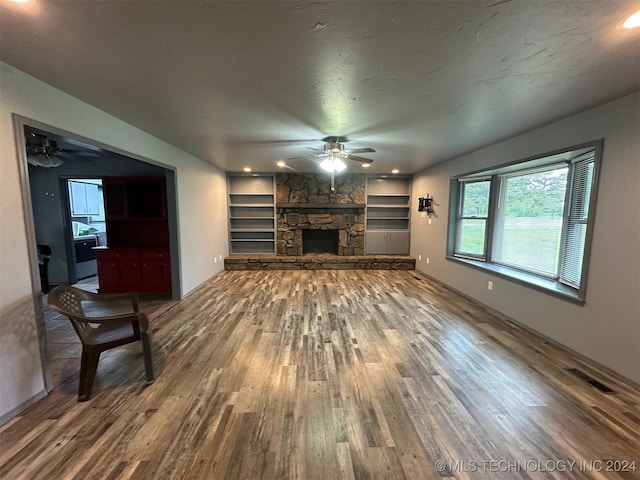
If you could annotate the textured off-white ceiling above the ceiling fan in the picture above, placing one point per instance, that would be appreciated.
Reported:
(248, 83)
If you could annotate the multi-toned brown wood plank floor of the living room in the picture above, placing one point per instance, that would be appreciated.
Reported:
(331, 375)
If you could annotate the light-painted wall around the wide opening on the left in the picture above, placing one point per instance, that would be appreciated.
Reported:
(201, 195)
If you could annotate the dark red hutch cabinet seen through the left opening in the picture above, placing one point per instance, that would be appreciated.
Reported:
(137, 256)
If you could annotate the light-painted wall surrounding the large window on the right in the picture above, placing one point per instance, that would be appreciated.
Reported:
(607, 328)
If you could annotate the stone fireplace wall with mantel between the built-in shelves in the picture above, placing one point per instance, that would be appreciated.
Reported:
(306, 202)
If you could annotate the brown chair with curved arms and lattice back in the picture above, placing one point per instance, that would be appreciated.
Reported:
(102, 321)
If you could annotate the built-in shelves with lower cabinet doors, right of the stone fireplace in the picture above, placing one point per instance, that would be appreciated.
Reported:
(387, 215)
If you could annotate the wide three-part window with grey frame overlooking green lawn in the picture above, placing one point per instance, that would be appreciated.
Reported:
(529, 220)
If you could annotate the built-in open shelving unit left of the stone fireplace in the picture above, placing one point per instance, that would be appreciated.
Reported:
(252, 216)
